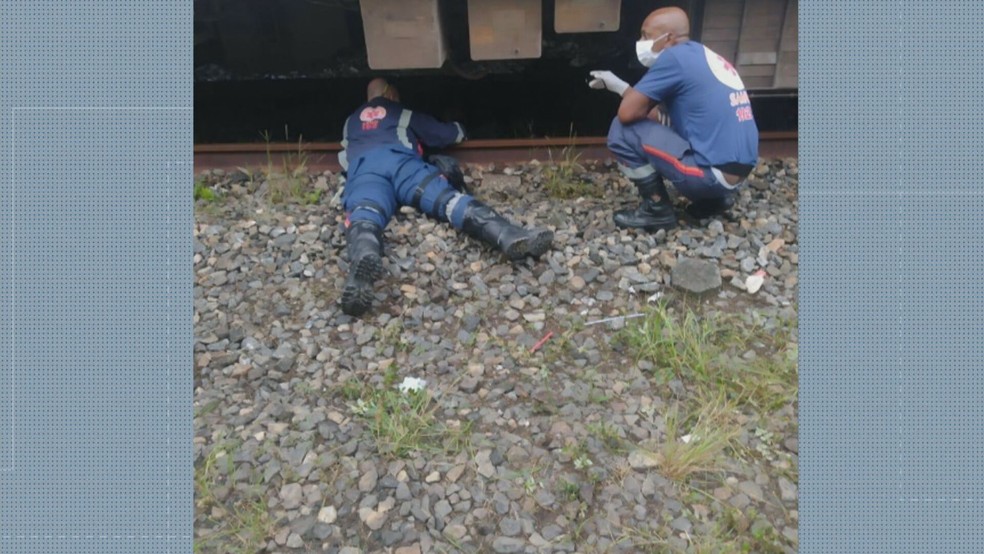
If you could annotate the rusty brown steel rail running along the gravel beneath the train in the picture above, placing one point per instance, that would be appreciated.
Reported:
(320, 156)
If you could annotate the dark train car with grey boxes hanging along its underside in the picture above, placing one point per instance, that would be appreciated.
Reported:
(287, 70)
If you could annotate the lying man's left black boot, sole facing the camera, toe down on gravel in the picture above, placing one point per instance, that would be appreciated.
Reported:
(365, 250)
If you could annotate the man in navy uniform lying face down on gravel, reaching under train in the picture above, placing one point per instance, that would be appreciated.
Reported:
(382, 151)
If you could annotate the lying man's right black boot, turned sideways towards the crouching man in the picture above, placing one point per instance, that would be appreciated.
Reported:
(484, 224)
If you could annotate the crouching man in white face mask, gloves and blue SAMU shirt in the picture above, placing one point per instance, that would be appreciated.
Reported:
(711, 143)
